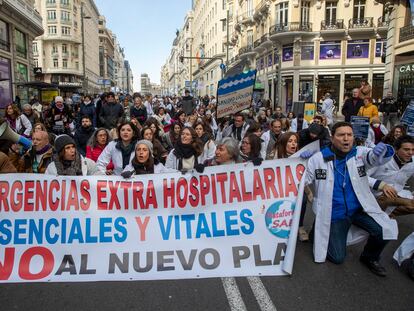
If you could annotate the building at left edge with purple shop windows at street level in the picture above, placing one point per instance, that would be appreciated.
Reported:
(20, 23)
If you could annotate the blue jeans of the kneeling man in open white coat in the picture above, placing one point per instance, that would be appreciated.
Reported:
(339, 232)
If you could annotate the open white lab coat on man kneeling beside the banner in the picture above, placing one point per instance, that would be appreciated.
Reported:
(322, 202)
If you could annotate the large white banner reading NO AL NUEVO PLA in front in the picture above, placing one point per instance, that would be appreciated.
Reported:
(234, 220)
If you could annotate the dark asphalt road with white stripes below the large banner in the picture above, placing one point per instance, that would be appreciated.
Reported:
(312, 286)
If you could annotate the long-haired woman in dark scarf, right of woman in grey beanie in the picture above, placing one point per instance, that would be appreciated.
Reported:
(186, 153)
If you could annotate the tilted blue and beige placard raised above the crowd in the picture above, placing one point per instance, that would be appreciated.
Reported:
(235, 93)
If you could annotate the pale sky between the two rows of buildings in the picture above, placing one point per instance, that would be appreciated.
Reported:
(146, 29)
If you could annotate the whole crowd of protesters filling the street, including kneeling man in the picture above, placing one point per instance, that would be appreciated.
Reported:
(359, 182)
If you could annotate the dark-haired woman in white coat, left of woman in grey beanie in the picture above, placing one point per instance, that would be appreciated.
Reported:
(121, 151)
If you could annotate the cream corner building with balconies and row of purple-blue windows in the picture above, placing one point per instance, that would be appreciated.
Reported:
(304, 49)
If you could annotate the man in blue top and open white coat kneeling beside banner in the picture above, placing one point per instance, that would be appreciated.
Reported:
(343, 198)
